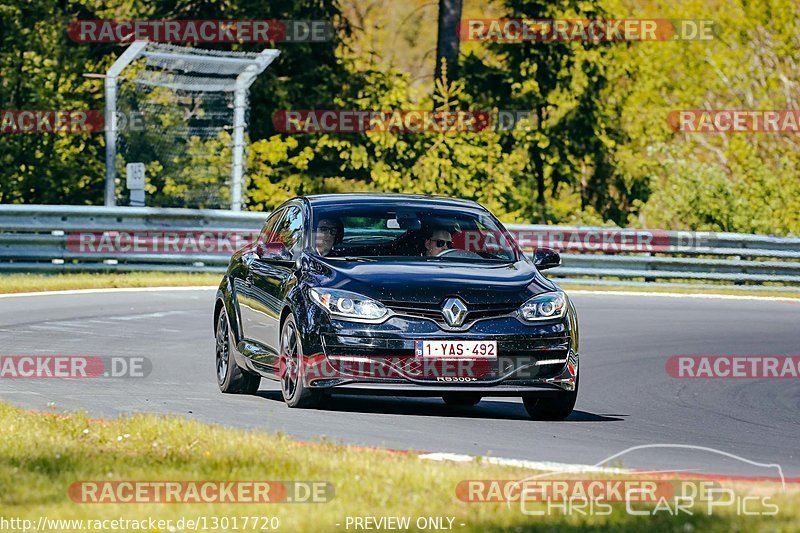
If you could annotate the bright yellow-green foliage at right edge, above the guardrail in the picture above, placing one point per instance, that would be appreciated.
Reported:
(745, 182)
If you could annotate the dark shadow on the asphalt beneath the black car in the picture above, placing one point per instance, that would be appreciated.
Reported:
(433, 406)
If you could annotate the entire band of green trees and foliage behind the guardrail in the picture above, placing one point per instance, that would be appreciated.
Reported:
(598, 151)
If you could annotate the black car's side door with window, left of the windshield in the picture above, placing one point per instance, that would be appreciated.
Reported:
(270, 276)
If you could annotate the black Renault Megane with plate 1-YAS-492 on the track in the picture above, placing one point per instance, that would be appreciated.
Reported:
(399, 295)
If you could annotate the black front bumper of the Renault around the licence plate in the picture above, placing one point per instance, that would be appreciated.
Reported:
(380, 359)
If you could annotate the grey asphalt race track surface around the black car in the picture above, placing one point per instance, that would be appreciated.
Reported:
(626, 399)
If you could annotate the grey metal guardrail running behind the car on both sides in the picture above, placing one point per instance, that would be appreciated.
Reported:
(45, 238)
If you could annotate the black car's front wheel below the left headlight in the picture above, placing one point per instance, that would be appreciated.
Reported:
(293, 388)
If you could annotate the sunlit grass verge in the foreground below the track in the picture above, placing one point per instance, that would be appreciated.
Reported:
(42, 455)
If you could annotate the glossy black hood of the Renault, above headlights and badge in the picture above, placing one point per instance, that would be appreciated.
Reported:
(432, 281)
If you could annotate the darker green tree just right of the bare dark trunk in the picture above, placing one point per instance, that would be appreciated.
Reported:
(558, 83)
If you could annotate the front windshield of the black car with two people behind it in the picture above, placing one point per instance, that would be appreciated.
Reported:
(439, 233)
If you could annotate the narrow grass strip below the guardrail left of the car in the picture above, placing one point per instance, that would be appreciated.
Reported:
(10, 283)
